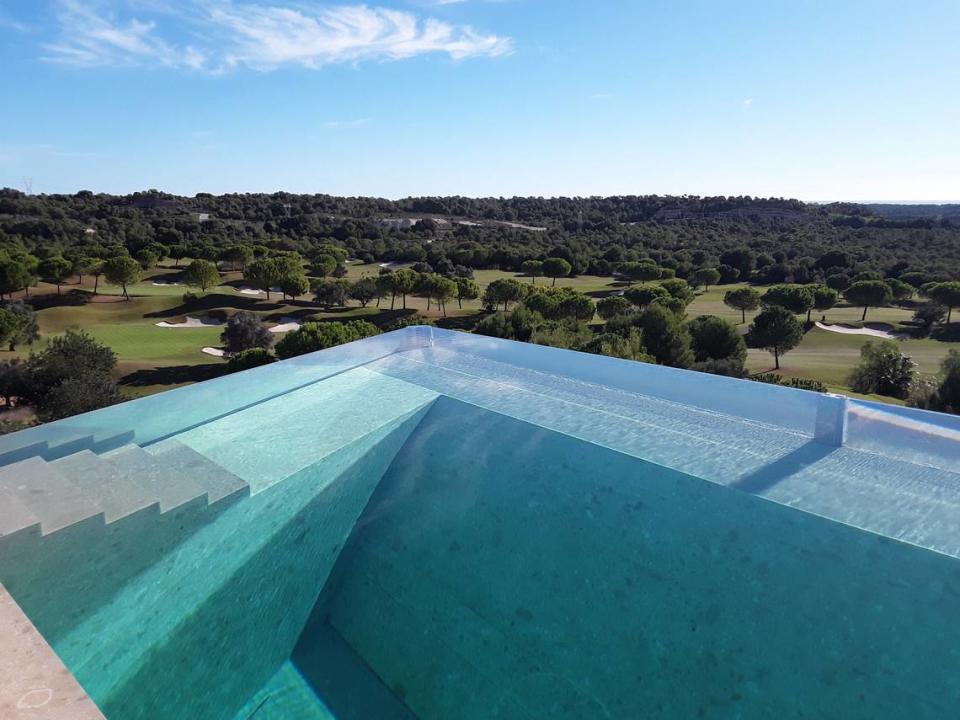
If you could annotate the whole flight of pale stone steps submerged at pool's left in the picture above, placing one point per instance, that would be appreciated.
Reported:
(51, 491)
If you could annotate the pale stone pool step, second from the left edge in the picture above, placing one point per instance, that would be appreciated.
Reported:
(55, 500)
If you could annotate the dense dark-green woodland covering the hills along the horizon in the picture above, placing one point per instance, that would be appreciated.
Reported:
(787, 240)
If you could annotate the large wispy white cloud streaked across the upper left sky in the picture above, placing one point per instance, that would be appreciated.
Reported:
(264, 37)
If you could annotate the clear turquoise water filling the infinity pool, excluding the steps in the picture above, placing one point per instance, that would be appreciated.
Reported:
(440, 534)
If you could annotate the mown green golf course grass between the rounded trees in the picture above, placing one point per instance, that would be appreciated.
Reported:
(173, 356)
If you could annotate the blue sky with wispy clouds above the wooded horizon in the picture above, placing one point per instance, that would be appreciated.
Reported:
(814, 99)
